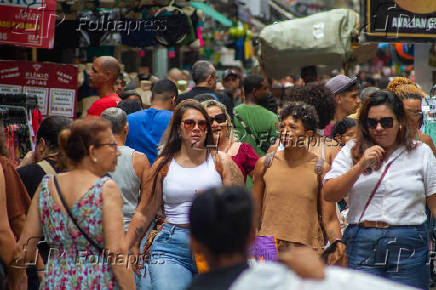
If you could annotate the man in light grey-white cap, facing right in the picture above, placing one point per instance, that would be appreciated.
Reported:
(346, 92)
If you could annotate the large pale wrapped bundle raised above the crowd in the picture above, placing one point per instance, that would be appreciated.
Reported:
(320, 39)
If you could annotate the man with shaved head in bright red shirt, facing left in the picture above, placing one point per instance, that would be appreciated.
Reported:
(104, 72)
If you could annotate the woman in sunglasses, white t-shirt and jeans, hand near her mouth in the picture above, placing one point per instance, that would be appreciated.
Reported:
(388, 177)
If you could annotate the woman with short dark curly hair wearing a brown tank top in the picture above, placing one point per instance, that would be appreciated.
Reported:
(286, 187)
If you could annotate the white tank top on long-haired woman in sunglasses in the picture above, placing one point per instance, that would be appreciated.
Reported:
(181, 184)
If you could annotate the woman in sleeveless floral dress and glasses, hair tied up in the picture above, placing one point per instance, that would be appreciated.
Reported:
(93, 253)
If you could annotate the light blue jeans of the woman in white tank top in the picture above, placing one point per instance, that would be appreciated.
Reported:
(171, 262)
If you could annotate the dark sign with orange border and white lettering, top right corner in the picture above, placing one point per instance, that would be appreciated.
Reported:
(399, 20)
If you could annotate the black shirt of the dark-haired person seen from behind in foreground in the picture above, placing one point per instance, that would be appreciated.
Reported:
(218, 279)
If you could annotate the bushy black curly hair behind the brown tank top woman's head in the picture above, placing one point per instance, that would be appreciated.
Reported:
(319, 97)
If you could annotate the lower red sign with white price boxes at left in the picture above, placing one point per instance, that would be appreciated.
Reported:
(55, 85)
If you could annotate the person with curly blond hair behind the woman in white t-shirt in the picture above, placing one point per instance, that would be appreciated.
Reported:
(412, 97)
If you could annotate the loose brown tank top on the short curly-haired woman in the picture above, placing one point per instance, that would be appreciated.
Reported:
(290, 205)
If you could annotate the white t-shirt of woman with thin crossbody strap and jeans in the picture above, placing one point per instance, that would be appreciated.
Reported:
(401, 196)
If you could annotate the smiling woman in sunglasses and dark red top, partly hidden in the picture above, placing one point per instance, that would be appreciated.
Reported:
(242, 153)
